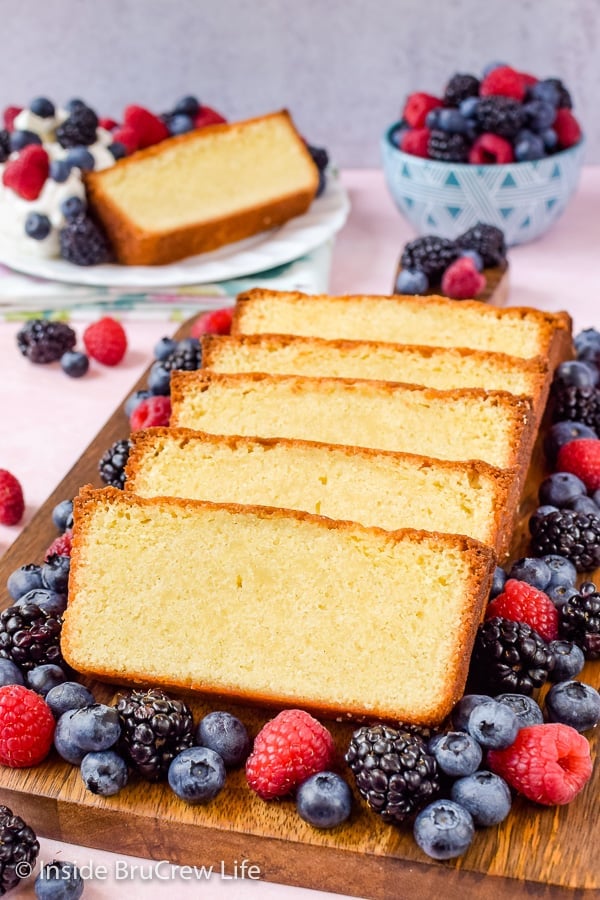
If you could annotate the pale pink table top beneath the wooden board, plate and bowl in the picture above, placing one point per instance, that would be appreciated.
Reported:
(50, 419)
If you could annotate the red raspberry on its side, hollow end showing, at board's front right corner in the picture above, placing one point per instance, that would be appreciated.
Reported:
(548, 764)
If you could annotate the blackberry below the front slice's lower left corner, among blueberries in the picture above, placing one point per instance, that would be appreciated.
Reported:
(154, 729)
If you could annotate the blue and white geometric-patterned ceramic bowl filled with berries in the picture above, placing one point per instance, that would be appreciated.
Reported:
(523, 199)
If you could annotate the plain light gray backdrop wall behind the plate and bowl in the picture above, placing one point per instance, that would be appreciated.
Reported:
(343, 67)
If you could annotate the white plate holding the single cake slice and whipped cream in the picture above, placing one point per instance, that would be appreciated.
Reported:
(326, 215)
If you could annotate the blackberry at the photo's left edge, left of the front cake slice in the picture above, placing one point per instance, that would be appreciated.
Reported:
(30, 636)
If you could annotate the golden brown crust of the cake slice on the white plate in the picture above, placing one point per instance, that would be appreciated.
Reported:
(136, 247)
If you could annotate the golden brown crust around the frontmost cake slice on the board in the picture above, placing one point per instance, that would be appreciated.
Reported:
(481, 567)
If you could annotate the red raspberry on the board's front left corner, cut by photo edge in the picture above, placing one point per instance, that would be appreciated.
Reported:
(26, 727)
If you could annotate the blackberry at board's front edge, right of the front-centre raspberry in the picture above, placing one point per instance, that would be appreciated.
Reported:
(394, 772)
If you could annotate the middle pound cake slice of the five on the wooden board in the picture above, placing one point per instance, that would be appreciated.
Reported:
(493, 426)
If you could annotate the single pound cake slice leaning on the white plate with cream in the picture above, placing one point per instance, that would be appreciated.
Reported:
(203, 189)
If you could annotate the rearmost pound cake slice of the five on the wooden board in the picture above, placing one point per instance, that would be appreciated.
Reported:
(434, 321)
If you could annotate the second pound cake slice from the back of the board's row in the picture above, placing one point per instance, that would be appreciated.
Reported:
(444, 368)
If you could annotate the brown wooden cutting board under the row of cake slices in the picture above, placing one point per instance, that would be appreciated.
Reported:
(536, 852)
